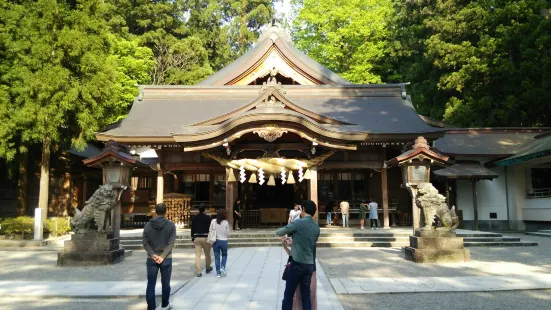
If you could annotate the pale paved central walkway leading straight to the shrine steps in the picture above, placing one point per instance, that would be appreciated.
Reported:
(253, 282)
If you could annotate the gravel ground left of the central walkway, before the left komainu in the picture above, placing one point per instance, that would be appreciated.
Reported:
(41, 266)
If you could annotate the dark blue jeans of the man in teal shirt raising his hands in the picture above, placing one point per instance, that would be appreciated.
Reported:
(298, 274)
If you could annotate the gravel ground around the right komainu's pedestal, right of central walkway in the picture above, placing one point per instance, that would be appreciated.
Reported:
(390, 262)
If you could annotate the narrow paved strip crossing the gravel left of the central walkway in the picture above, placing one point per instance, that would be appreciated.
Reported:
(80, 289)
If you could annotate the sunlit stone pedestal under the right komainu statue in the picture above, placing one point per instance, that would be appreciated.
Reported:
(436, 247)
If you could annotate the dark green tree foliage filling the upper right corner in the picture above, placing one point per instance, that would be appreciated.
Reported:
(476, 63)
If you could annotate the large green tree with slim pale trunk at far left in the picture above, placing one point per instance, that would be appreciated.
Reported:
(62, 77)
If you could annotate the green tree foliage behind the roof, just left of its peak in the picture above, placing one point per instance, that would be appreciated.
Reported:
(180, 56)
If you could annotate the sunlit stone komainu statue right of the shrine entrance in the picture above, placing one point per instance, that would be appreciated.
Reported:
(433, 204)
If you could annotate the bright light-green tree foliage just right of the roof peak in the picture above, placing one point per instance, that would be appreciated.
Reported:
(347, 36)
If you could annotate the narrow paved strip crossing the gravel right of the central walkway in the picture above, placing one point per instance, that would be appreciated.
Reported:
(441, 284)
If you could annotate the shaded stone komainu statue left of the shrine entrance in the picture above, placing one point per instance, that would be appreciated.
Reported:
(95, 210)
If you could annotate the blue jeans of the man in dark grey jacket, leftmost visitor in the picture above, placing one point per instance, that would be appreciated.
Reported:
(152, 270)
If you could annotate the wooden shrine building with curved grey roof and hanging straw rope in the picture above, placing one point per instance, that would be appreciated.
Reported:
(275, 127)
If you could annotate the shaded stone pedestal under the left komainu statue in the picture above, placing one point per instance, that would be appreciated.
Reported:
(91, 249)
